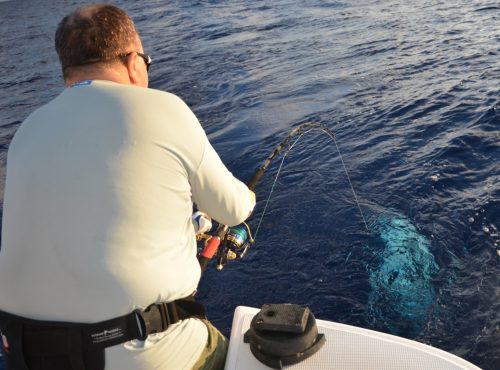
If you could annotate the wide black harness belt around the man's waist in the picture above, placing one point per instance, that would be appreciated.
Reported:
(53, 345)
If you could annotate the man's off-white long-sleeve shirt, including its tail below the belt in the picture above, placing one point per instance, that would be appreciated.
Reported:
(97, 214)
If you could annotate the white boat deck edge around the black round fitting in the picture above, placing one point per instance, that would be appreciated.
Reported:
(347, 348)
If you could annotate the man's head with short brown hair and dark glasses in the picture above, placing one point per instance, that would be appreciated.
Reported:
(100, 41)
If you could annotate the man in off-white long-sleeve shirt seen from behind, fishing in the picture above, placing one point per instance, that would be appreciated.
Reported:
(97, 213)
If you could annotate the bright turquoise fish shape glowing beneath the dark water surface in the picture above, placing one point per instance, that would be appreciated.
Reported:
(402, 295)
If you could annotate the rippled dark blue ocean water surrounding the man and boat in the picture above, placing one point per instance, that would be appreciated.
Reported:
(411, 90)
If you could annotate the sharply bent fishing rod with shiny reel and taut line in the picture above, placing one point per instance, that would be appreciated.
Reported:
(237, 240)
